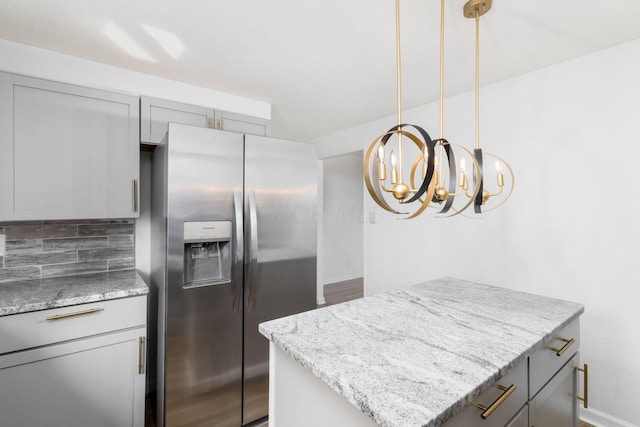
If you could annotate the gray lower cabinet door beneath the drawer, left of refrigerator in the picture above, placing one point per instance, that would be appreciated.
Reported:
(89, 382)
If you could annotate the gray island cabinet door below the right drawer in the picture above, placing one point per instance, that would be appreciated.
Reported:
(556, 405)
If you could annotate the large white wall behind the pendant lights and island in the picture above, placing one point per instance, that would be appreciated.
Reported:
(572, 228)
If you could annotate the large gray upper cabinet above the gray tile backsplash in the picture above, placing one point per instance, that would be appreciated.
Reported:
(66, 152)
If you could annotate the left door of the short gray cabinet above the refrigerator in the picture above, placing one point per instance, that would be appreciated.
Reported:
(155, 115)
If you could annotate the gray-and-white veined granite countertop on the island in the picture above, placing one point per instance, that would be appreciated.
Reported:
(417, 356)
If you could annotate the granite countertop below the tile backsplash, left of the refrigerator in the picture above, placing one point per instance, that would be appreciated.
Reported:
(40, 294)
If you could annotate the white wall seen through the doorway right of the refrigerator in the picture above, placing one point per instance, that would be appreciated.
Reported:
(342, 218)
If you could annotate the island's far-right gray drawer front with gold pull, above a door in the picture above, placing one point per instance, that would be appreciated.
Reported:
(544, 363)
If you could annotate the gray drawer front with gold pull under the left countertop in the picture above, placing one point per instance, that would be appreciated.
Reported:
(38, 328)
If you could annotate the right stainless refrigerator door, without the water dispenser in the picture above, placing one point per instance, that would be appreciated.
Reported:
(280, 250)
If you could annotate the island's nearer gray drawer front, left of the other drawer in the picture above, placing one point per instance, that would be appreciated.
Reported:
(471, 415)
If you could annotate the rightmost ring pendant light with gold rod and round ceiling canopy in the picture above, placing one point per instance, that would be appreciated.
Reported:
(473, 9)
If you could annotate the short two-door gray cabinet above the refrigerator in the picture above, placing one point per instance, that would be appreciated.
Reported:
(156, 113)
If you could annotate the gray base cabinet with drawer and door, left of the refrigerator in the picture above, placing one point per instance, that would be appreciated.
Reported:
(81, 365)
